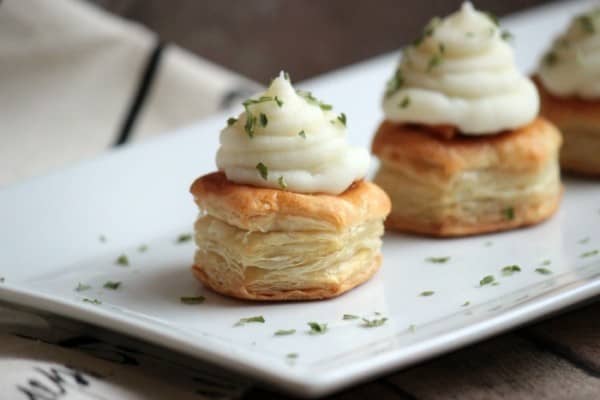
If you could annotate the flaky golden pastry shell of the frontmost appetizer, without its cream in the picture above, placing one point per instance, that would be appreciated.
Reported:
(268, 244)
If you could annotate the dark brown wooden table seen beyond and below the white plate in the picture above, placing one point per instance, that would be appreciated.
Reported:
(555, 359)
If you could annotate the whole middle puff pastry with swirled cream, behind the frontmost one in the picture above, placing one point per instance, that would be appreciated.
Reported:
(462, 148)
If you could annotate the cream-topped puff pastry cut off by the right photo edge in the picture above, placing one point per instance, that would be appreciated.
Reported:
(568, 80)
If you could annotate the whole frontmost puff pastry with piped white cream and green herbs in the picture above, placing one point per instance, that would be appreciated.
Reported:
(288, 216)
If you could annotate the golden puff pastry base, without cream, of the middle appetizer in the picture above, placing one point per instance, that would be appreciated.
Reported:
(466, 185)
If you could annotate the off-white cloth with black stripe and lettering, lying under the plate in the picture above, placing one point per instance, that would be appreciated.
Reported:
(74, 81)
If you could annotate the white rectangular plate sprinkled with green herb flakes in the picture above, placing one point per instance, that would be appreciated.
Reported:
(49, 243)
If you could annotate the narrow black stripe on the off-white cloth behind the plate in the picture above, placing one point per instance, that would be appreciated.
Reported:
(143, 88)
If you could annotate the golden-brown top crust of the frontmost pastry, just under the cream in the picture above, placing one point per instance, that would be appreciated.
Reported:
(263, 209)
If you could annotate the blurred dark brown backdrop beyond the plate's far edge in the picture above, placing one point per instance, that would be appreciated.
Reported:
(259, 37)
